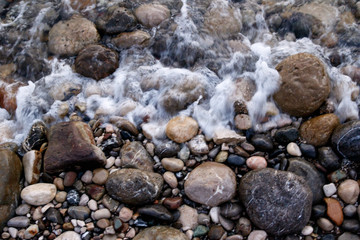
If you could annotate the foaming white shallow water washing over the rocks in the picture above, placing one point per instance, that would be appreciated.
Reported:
(195, 74)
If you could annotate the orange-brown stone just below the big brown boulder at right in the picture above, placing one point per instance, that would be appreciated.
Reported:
(317, 131)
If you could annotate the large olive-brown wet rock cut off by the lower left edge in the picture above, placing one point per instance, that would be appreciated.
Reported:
(10, 174)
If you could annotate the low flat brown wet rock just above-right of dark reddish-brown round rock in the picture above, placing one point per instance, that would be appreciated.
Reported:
(128, 39)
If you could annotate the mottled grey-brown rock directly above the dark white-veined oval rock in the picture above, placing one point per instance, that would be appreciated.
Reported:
(134, 155)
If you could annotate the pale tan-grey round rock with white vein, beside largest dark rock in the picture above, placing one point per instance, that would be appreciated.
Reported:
(211, 184)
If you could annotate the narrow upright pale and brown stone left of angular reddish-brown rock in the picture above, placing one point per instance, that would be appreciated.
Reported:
(32, 161)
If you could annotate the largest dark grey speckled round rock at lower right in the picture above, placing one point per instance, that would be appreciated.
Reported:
(276, 201)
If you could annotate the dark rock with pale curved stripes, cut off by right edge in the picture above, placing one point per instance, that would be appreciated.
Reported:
(345, 140)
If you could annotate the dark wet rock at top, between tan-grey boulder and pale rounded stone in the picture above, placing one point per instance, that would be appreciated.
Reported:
(116, 20)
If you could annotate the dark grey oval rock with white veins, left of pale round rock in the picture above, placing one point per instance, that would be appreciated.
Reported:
(133, 186)
